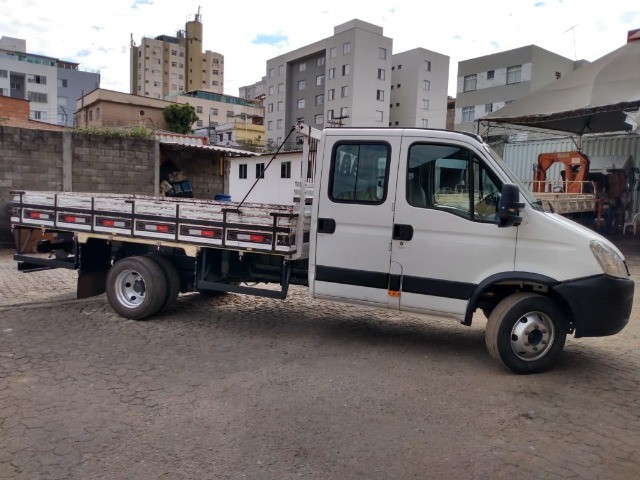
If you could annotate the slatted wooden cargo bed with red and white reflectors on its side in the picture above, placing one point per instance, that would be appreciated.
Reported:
(273, 229)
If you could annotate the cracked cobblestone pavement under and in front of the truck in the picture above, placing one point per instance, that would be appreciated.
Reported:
(238, 387)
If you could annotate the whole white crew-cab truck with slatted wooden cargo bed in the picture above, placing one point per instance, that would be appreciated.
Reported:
(415, 220)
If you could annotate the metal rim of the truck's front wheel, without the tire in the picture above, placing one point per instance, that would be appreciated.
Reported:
(532, 336)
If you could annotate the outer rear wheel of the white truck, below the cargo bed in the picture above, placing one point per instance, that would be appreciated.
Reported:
(136, 287)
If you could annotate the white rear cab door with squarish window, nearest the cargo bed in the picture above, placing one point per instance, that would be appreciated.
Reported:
(350, 257)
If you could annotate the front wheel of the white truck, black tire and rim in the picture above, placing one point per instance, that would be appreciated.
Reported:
(526, 333)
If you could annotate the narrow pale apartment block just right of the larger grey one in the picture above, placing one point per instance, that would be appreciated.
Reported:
(419, 79)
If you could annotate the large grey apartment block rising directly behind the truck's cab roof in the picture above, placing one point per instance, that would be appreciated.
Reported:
(341, 80)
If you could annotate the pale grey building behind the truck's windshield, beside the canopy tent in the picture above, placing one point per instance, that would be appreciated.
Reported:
(488, 83)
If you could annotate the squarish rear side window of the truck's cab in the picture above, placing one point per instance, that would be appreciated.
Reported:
(359, 173)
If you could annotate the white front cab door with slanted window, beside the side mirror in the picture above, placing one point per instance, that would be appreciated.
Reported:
(446, 234)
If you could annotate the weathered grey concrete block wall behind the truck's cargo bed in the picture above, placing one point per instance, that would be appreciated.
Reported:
(61, 161)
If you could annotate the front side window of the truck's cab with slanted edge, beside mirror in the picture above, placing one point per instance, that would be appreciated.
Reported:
(440, 177)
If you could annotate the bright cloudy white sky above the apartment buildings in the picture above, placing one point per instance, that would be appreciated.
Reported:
(97, 34)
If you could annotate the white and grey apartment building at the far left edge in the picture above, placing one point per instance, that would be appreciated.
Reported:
(51, 85)
